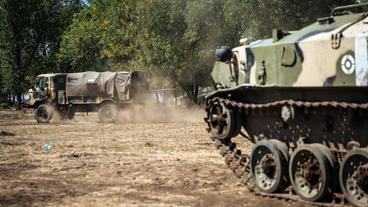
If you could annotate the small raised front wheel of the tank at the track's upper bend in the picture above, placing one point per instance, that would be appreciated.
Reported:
(224, 122)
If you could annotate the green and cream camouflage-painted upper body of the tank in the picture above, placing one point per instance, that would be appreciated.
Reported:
(306, 58)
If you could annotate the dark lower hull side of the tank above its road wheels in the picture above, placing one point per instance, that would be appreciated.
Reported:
(335, 116)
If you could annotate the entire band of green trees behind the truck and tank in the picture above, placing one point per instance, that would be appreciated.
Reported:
(175, 40)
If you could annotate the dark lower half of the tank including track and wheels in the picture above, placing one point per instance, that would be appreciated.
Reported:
(332, 119)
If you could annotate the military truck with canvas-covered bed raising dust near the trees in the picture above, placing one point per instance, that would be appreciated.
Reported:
(104, 92)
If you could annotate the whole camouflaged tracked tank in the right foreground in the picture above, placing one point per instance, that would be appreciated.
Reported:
(301, 99)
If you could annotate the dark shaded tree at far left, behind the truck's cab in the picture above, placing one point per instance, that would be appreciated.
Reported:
(30, 36)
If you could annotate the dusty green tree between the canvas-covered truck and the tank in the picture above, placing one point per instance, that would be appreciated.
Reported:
(179, 38)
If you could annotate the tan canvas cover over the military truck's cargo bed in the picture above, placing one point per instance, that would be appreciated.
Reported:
(93, 84)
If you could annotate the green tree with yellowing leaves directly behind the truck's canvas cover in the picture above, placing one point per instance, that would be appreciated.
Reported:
(100, 37)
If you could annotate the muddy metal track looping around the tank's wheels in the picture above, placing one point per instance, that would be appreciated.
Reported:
(239, 162)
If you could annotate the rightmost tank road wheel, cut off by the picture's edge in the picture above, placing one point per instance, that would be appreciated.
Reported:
(354, 177)
